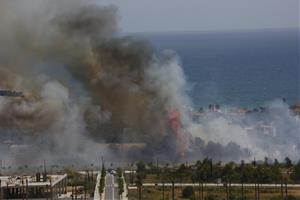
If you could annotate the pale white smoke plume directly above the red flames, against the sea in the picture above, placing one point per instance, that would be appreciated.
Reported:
(167, 77)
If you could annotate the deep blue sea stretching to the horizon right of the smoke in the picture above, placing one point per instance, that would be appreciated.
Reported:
(237, 68)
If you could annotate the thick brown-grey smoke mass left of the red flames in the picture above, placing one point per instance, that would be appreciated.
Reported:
(82, 84)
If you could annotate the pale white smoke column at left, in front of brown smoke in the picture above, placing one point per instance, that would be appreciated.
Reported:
(69, 128)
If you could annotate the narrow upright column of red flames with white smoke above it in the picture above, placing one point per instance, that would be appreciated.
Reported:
(167, 77)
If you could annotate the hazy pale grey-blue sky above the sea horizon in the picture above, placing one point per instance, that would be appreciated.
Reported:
(187, 15)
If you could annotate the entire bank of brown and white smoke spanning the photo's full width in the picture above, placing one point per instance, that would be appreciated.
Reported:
(84, 87)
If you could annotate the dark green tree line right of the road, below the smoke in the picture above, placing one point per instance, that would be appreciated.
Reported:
(207, 170)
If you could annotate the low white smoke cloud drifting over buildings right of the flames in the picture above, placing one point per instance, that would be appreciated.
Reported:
(274, 133)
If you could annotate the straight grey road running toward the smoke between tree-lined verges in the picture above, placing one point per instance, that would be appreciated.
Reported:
(111, 190)
